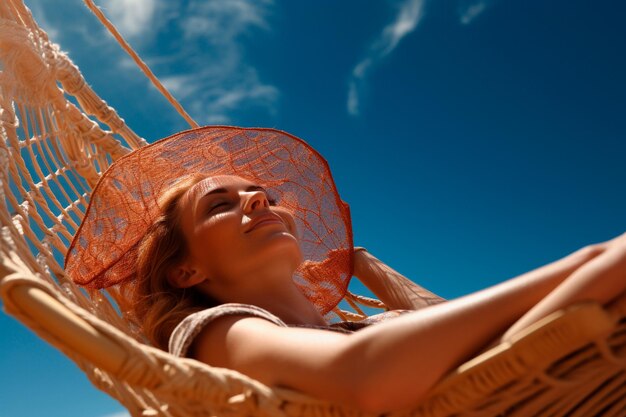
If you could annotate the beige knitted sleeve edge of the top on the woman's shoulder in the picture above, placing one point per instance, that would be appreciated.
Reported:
(194, 325)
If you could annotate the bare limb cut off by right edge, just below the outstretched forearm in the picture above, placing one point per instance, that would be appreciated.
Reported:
(602, 279)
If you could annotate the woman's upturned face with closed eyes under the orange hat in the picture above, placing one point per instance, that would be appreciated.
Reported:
(232, 229)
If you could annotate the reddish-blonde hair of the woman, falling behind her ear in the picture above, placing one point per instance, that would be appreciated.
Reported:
(157, 305)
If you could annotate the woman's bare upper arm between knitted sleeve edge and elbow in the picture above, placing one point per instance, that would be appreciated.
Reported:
(271, 354)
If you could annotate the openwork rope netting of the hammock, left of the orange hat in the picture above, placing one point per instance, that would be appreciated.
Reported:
(58, 136)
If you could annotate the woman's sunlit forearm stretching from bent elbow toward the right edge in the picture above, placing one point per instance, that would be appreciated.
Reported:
(454, 331)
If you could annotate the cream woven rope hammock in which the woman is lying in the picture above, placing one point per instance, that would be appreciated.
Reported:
(58, 136)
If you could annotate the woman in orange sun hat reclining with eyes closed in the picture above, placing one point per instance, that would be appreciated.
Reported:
(212, 274)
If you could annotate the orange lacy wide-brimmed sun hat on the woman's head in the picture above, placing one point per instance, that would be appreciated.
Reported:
(123, 204)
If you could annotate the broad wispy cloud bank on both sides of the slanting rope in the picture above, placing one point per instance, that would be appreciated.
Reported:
(196, 48)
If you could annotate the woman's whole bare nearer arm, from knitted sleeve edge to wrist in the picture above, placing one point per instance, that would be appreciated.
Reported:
(387, 366)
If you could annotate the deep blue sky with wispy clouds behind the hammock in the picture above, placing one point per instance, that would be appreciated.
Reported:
(474, 139)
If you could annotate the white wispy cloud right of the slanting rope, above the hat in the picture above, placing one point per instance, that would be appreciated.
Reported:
(206, 69)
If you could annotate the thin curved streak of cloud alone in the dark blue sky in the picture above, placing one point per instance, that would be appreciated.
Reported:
(409, 15)
